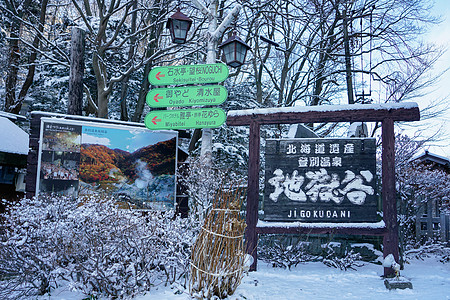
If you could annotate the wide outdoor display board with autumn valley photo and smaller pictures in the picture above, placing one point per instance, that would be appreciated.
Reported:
(133, 164)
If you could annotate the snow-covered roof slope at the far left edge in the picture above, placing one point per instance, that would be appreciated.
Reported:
(13, 138)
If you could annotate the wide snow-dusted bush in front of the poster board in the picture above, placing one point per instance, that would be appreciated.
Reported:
(92, 246)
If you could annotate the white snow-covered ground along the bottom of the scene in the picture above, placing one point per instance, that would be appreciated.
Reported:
(430, 279)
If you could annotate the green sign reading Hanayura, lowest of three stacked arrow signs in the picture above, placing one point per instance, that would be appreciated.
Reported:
(183, 119)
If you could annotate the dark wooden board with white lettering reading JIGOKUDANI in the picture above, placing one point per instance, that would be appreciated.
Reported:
(320, 180)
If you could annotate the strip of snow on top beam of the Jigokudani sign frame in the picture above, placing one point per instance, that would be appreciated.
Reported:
(321, 108)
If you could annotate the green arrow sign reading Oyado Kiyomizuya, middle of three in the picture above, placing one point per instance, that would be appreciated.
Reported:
(187, 96)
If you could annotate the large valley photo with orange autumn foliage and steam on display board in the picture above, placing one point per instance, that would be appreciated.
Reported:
(137, 166)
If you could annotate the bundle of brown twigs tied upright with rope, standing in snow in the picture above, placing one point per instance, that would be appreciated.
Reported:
(218, 254)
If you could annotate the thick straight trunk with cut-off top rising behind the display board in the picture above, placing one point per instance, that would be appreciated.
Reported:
(75, 105)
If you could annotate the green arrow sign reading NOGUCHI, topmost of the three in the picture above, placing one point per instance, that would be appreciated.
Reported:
(190, 74)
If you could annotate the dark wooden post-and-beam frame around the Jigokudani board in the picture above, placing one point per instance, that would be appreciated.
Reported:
(385, 113)
